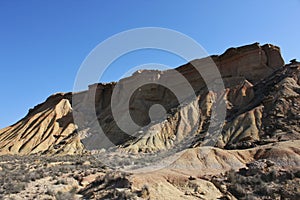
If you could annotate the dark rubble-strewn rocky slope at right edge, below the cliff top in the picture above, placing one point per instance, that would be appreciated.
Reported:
(271, 116)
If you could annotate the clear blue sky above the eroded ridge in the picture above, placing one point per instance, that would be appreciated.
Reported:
(43, 43)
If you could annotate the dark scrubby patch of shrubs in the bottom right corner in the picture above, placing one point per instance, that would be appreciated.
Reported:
(265, 183)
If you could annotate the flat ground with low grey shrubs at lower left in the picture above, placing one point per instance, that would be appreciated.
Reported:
(18, 172)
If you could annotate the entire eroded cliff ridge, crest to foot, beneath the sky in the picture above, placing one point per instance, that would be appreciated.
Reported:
(259, 91)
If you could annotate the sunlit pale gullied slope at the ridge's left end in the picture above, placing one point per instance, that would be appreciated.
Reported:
(47, 128)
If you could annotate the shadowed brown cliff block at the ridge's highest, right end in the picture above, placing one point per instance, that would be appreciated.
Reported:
(254, 62)
